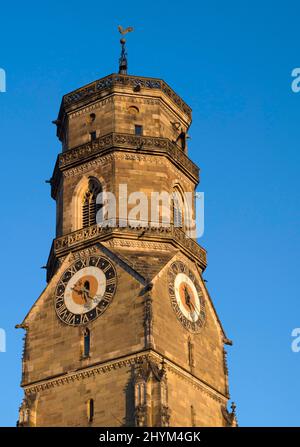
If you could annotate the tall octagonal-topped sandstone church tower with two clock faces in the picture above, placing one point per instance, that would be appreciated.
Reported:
(125, 332)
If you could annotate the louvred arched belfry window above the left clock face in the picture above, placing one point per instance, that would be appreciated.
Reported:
(89, 206)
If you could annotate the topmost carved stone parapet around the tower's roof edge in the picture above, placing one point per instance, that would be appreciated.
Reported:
(97, 89)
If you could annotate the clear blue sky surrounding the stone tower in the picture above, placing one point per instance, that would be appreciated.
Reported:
(231, 61)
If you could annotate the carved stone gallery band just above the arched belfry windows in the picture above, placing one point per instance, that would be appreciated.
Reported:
(138, 145)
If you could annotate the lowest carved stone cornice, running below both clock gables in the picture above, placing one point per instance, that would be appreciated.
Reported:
(102, 368)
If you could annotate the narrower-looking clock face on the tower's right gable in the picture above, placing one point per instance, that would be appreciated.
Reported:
(186, 295)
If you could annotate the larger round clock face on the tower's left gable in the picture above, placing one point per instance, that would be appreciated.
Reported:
(85, 290)
